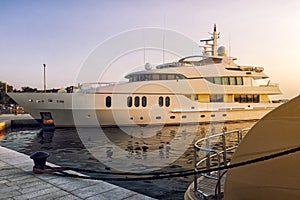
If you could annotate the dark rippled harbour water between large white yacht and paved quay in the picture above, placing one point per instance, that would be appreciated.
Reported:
(134, 149)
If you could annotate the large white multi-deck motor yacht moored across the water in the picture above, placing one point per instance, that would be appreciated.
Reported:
(209, 87)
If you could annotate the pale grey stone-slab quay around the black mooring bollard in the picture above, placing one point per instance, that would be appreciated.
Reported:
(18, 182)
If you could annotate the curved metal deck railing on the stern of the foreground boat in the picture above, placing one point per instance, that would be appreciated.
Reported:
(215, 151)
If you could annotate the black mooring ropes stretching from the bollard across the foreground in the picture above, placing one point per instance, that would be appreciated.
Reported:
(159, 175)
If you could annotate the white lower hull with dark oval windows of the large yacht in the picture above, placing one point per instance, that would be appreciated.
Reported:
(91, 110)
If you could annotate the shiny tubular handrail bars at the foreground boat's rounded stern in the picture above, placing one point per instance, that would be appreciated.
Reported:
(212, 152)
